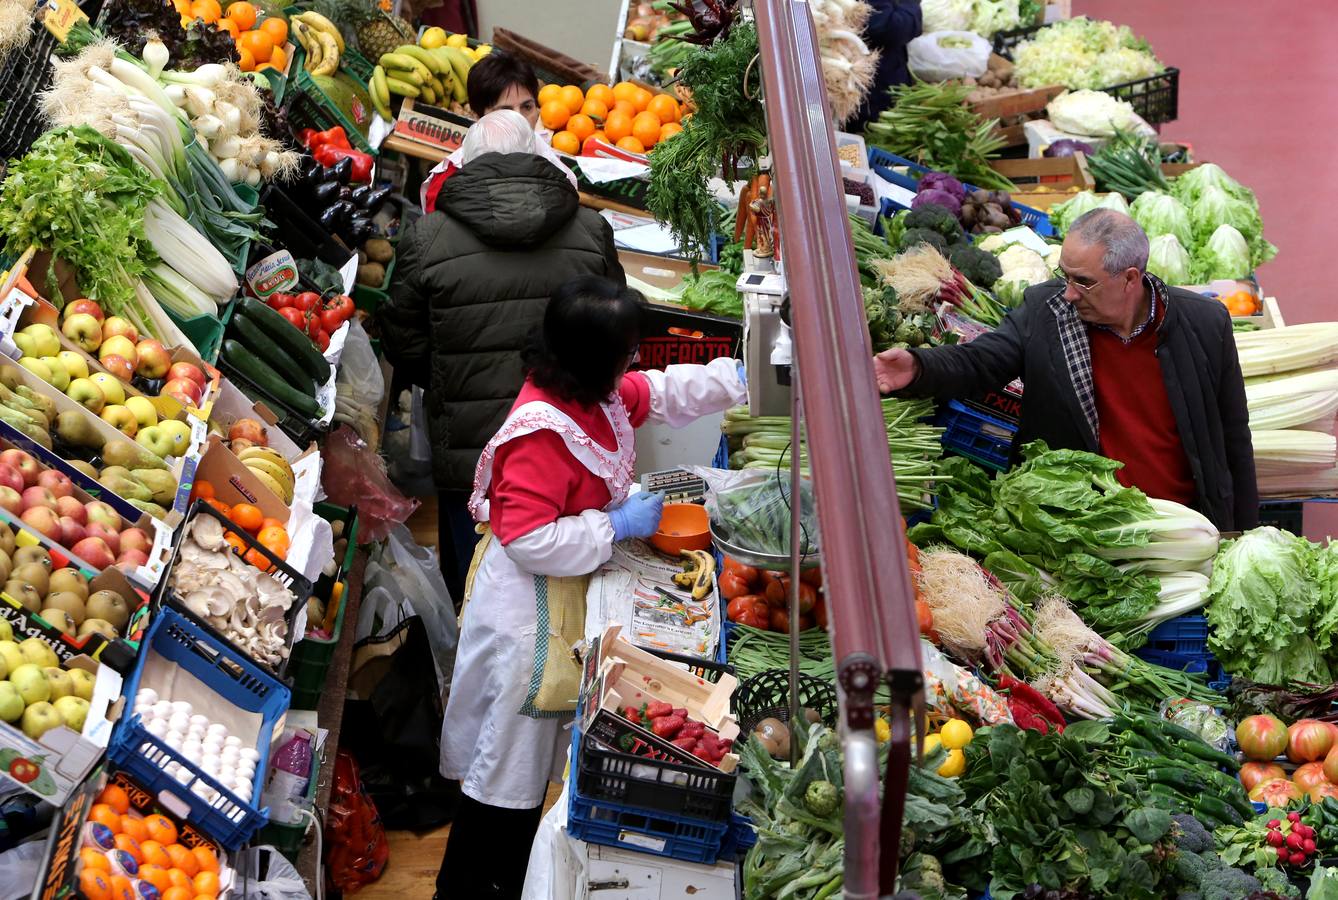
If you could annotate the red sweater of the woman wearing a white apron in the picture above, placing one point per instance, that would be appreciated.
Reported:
(536, 481)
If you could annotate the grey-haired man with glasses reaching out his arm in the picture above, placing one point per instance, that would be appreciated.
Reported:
(1117, 363)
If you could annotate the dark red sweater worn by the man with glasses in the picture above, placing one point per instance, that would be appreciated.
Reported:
(1137, 422)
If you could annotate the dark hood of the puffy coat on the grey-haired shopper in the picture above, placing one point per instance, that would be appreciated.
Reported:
(517, 200)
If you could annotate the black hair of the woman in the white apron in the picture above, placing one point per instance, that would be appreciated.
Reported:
(591, 331)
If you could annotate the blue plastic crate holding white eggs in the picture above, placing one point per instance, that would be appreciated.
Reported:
(236, 680)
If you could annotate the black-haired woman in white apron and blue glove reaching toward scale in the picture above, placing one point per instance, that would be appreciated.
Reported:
(553, 489)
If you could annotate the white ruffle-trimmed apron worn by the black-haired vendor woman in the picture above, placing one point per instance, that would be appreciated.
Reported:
(502, 756)
